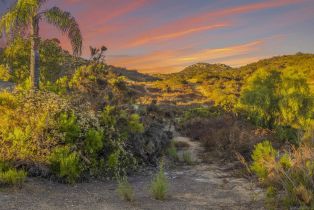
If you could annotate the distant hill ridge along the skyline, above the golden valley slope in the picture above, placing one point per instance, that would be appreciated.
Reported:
(201, 72)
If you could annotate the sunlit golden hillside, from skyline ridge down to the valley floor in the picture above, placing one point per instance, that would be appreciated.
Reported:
(221, 84)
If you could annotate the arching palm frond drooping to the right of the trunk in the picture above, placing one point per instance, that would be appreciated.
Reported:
(67, 24)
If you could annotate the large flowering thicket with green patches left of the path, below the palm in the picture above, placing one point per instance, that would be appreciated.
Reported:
(72, 139)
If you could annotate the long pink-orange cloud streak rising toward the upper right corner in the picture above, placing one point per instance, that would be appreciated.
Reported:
(200, 22)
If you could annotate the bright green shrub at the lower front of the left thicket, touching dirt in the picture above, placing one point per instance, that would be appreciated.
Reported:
(65, 164)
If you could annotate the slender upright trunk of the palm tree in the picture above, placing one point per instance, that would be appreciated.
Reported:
(35, 73)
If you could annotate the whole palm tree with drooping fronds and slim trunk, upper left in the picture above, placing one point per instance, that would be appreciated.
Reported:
(24, 17)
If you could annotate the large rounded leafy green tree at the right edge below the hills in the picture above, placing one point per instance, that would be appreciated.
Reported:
(280, 100)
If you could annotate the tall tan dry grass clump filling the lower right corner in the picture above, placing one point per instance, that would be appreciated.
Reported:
(292, 173)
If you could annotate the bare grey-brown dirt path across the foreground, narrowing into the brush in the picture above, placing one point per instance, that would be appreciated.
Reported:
(199, 186)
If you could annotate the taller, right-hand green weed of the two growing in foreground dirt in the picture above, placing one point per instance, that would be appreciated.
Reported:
(159, 185)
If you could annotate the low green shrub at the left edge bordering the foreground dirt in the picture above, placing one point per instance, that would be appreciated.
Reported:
(12, 177)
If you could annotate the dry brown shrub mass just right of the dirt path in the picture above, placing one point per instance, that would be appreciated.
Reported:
(225, 133)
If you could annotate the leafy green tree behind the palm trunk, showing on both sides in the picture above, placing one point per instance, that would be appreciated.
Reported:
(52, 60)
